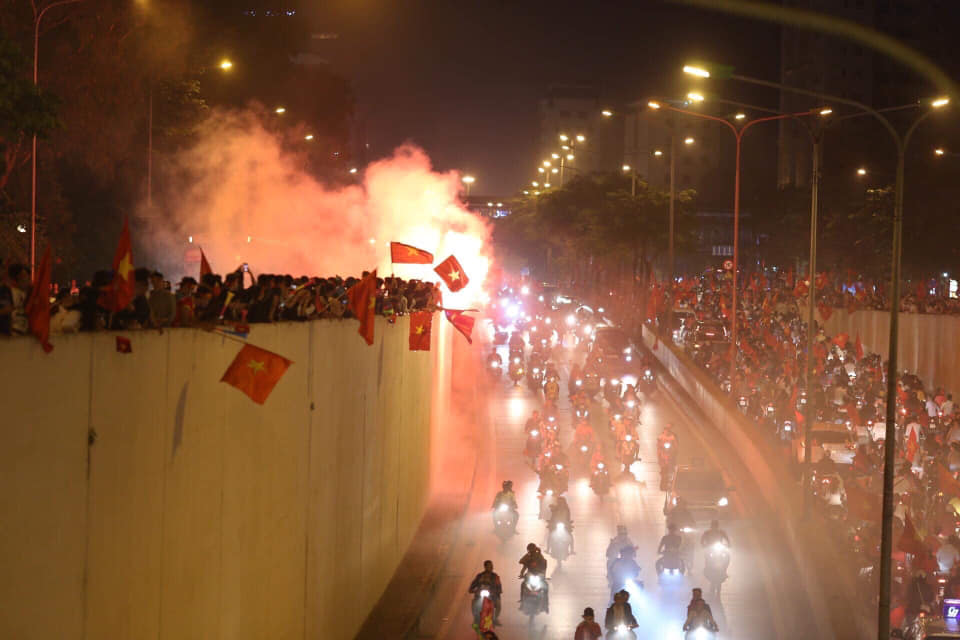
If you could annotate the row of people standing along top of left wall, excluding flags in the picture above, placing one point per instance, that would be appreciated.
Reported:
(235, 298)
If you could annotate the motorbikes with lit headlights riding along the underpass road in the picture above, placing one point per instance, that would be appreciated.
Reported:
(590, 389)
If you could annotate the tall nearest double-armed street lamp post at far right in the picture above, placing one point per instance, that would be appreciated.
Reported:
(889, 445)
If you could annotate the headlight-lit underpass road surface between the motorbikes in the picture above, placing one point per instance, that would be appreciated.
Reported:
(744, 609)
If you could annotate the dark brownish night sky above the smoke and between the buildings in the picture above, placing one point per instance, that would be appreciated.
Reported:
(463, 78)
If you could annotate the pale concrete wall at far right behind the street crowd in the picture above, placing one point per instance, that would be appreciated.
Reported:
(929, 345)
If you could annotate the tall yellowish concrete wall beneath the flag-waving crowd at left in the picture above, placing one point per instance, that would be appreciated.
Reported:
(196, 513)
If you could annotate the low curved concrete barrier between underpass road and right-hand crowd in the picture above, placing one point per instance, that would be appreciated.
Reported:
(829, 595)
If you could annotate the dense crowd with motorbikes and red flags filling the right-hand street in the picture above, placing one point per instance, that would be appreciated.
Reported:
(766, 375)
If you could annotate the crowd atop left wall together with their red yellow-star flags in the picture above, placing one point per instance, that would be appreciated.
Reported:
(129, 298)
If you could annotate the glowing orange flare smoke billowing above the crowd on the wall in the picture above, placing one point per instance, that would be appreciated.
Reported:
(244, 198)
